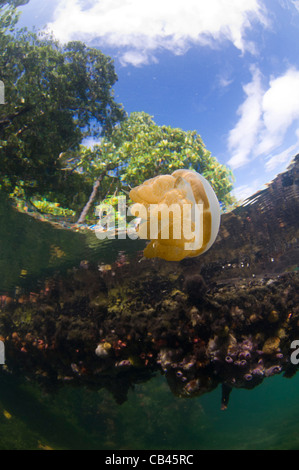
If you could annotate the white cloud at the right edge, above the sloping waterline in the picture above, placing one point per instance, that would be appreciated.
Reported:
(265, 118)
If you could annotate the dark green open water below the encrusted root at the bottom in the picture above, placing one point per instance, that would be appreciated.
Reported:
(152, 418)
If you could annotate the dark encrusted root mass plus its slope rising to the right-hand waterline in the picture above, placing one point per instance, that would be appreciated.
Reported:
(228, 317)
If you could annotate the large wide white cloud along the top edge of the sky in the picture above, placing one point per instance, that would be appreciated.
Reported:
(143, 27)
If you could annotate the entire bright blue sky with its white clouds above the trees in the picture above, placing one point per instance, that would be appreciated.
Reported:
(228, 69)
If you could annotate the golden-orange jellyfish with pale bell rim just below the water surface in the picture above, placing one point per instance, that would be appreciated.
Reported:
(179, 213)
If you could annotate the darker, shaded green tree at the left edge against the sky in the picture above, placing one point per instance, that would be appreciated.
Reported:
(55, 96)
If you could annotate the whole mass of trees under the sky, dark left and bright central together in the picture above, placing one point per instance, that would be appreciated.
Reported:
(57, 95)
